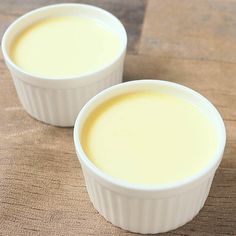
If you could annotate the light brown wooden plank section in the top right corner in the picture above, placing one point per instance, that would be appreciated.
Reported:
(196, 29)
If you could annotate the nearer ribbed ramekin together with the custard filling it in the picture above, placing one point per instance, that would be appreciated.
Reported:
(138, 203)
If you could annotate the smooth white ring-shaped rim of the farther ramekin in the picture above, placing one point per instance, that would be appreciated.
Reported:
(72, 78)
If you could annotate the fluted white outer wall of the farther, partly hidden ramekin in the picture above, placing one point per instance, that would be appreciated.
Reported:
(61, 106)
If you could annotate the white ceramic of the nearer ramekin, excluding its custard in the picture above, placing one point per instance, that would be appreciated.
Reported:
(149, 208)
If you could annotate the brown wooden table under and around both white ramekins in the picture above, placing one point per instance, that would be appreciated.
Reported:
(42, 190)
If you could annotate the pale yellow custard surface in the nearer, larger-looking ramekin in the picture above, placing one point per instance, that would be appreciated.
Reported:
(147, 137)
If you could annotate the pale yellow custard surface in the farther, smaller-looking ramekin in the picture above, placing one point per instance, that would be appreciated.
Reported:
(65, 46)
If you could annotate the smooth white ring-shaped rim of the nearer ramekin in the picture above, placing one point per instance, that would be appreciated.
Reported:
(154, 187)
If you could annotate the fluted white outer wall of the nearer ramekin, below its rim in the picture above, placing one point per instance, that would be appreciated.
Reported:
(147, 215)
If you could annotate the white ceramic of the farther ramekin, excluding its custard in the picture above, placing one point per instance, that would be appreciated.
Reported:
(58, 101)
